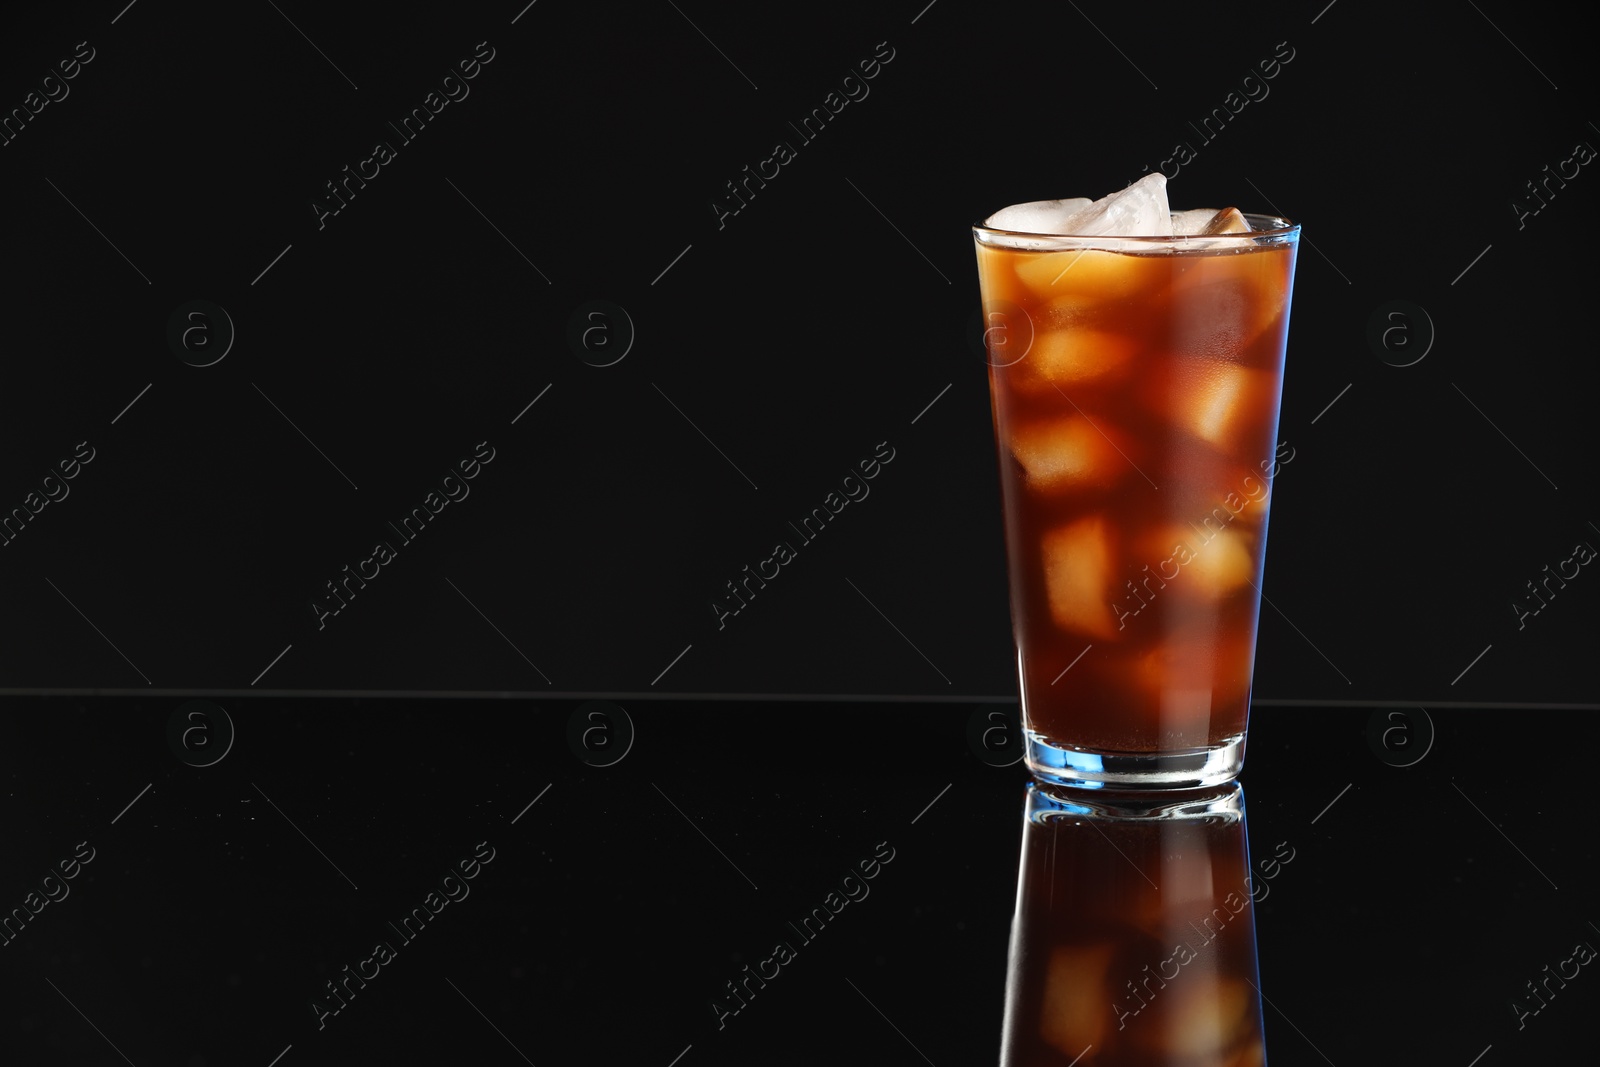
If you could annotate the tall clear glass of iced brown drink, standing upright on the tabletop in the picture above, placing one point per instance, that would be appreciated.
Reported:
(1135, 388)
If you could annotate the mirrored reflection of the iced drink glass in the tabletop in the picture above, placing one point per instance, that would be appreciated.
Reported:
(1135, 935)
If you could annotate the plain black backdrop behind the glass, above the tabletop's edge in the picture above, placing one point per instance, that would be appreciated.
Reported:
(820, 321)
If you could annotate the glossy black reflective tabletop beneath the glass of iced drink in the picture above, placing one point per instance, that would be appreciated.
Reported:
(626, 866)
